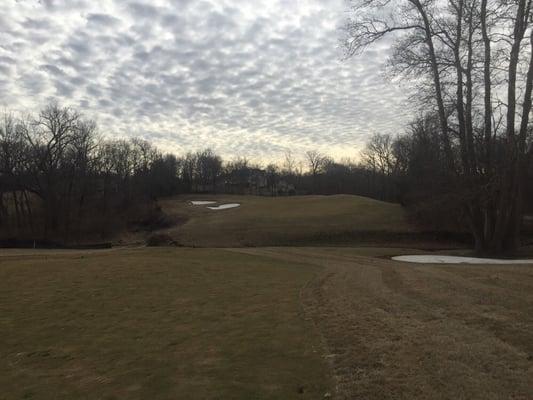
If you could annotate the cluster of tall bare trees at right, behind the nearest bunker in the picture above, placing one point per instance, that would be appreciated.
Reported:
(472, 63)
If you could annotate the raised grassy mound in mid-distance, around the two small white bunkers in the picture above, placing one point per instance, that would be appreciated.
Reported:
(283, 220)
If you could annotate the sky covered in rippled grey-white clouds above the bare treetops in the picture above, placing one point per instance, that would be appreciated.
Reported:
(246, 78)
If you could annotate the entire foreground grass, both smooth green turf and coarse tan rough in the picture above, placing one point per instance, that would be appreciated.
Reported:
(261, 323)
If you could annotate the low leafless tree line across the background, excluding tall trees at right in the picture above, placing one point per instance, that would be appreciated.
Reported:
(60, 180)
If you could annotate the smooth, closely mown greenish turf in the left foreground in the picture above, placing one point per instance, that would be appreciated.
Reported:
(156, 324)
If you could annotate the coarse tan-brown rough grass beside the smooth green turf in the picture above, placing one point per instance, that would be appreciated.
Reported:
(403, 331)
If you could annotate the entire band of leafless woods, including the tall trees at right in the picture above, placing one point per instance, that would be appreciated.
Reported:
(464, 164)
